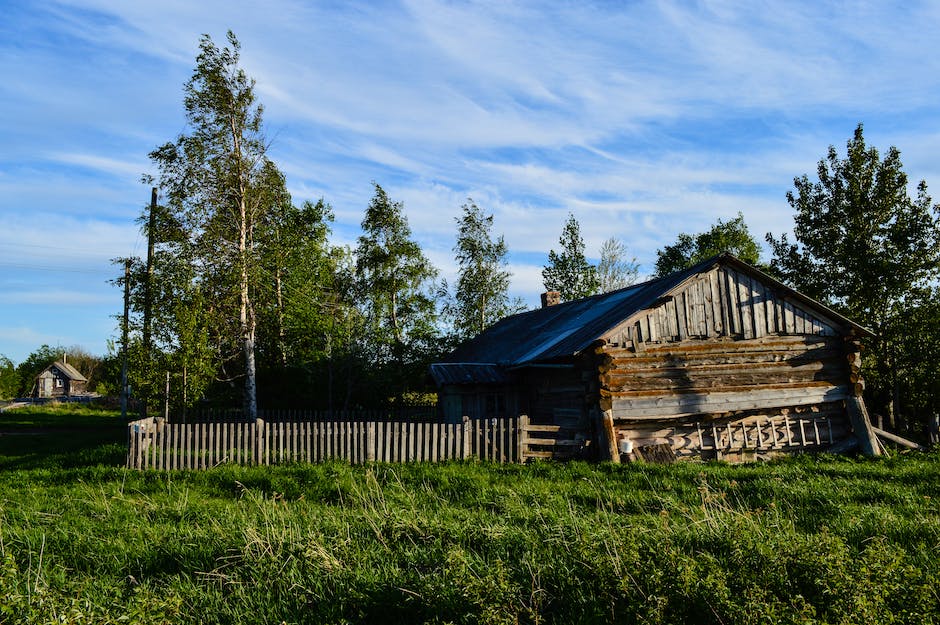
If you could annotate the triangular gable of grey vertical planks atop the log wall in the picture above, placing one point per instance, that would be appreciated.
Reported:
(723, 302)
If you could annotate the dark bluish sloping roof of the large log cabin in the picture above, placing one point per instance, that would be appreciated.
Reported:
(555, 332)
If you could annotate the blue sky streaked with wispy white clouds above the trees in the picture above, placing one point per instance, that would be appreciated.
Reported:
(644, 119)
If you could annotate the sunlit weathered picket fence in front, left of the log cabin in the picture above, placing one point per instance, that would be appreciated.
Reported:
(156, 444)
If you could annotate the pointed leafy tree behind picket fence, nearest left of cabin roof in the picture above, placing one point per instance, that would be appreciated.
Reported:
(395, 283)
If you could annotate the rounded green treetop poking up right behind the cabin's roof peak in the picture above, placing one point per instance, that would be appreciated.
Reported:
(725, 236)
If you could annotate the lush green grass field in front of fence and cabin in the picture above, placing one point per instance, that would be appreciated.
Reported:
(807, 540)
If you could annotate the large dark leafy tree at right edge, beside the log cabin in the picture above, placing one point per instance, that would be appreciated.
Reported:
(865, 246)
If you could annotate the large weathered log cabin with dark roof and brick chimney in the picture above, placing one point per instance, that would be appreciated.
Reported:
(719, 361)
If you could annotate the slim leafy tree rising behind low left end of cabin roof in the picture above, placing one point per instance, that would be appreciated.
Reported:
(482, 292)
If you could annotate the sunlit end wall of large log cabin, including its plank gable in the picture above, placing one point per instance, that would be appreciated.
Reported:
(726, 364)
